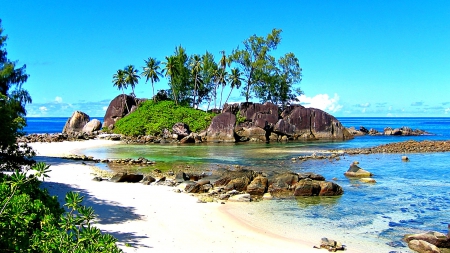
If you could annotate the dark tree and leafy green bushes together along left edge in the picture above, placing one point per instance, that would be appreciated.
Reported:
(30, 219)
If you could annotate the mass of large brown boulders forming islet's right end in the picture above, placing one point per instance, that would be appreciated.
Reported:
(263, 122)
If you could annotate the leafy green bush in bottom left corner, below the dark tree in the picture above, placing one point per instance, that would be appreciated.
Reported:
(33, 221)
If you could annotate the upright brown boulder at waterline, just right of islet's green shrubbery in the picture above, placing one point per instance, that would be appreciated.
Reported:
(222, 128)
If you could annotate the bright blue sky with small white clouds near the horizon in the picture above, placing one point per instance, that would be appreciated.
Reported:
(359, 58)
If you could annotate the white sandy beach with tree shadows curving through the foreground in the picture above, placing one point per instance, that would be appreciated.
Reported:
(155, 218)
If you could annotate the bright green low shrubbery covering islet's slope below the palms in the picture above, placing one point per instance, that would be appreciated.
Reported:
(151, 118)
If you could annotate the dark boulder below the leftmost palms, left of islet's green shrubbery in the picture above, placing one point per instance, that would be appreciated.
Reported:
(118, 108)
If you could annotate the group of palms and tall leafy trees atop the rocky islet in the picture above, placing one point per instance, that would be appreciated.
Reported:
(198, 79)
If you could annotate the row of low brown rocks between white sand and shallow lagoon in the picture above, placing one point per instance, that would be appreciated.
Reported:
(238, 184)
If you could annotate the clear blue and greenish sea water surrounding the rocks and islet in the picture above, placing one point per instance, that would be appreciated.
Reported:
(409, 197)
